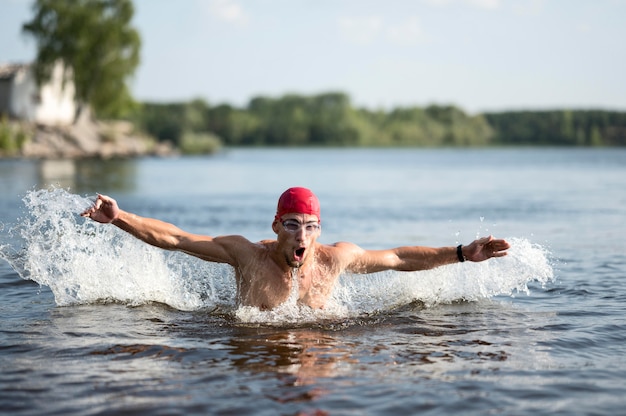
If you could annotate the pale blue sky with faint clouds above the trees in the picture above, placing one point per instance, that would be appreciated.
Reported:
(480, 55)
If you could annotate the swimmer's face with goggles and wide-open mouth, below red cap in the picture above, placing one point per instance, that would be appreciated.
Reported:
(297, 234)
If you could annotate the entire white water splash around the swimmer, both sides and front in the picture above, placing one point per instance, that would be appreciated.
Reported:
(84, 262)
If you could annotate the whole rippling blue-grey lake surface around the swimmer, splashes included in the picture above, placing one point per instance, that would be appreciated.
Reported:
(94, 322)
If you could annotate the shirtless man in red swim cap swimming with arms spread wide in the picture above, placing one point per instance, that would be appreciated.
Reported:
(265, 271)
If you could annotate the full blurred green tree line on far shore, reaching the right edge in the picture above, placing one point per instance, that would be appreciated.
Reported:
(329, 119)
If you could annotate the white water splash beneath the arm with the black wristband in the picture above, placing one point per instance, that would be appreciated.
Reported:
(467, 281)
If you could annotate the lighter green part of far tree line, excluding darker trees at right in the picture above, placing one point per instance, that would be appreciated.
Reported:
(326, 119)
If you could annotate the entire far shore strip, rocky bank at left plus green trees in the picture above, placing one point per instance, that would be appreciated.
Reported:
(323, 120)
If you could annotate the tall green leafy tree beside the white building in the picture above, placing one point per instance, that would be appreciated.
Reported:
(97, 45)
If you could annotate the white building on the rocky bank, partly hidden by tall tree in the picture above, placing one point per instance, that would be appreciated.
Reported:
(20, 98)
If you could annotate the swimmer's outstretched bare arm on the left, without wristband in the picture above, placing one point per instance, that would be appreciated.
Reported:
(159, 233)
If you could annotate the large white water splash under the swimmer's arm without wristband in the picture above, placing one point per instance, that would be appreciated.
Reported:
(84, 262)
